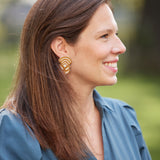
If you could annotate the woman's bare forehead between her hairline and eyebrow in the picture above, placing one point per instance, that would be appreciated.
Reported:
(102, 19)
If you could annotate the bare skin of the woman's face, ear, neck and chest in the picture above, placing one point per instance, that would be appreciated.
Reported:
(97, 46)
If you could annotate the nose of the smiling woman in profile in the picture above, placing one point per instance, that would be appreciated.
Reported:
(118, 47)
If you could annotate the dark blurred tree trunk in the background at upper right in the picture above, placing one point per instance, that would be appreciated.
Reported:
(145, 47)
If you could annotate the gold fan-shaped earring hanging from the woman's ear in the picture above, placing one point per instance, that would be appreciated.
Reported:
(65, 64)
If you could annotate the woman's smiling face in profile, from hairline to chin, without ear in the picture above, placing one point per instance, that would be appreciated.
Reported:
(95, 54)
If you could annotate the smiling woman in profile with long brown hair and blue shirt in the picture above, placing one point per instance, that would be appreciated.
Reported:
(68, 47)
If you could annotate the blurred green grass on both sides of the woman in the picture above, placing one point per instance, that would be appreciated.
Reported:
(141, 92)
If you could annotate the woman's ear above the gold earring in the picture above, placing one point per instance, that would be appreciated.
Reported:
(59, 46)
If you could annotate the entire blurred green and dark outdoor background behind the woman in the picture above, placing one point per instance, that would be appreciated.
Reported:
(139, 68)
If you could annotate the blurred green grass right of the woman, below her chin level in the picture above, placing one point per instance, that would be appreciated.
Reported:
(142, 93)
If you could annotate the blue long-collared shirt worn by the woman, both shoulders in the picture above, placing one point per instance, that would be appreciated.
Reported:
(122, 136)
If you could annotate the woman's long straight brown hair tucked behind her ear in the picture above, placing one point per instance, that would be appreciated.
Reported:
(43, 96)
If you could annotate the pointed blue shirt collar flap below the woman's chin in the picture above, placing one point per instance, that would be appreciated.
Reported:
(101, 102)
